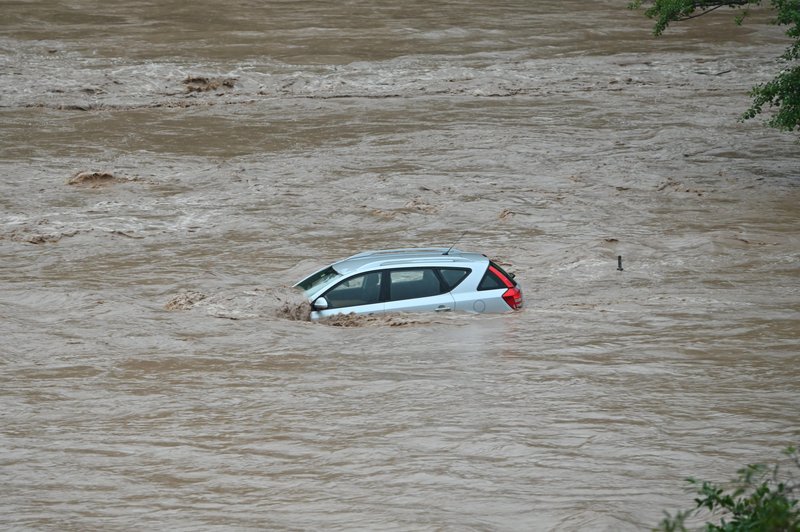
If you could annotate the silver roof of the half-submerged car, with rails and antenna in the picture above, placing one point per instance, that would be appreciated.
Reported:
(407, 257)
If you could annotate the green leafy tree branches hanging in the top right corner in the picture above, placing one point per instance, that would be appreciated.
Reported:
(781, 94)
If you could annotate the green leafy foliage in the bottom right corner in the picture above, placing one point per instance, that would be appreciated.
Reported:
(760, 499)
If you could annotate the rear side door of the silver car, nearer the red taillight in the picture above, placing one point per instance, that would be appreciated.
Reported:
(416, 290)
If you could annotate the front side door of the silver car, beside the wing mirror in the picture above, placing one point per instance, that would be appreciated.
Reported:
(359, 294)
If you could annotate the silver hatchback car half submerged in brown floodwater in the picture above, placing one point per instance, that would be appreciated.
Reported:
(411, 280)
